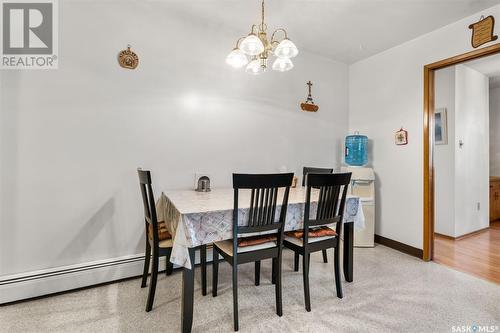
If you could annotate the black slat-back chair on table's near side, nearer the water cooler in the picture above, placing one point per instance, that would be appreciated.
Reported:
(330, 209)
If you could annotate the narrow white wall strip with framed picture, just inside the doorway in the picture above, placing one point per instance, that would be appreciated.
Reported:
(444, 155)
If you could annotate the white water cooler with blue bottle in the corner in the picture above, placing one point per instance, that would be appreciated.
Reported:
(362, 185)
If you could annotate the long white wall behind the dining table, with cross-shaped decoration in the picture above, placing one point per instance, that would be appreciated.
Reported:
(72, 138)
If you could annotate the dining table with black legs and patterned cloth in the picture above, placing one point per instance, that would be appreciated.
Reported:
(202, 218)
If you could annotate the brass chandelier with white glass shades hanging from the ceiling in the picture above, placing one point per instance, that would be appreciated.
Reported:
(259, 49)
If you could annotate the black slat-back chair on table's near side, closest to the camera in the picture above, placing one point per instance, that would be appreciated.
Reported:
(264, 215)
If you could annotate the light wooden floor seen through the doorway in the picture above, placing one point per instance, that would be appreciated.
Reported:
(477, 254)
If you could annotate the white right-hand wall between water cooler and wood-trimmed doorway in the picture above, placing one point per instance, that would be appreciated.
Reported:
(385, 93)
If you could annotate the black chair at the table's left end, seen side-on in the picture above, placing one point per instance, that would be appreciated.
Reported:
(158, 241)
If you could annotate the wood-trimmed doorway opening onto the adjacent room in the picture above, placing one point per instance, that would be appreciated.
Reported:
(453, 136)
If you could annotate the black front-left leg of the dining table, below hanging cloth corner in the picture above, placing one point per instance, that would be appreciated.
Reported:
(188, 294)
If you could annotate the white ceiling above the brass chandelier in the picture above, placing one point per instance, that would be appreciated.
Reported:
(343, 30)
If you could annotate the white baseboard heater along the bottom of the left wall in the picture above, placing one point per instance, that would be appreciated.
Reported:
(49, 281)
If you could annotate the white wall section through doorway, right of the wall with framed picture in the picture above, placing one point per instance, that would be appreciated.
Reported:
(472, 159)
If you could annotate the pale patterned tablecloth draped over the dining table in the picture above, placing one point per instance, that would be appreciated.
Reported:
(196, 218)
